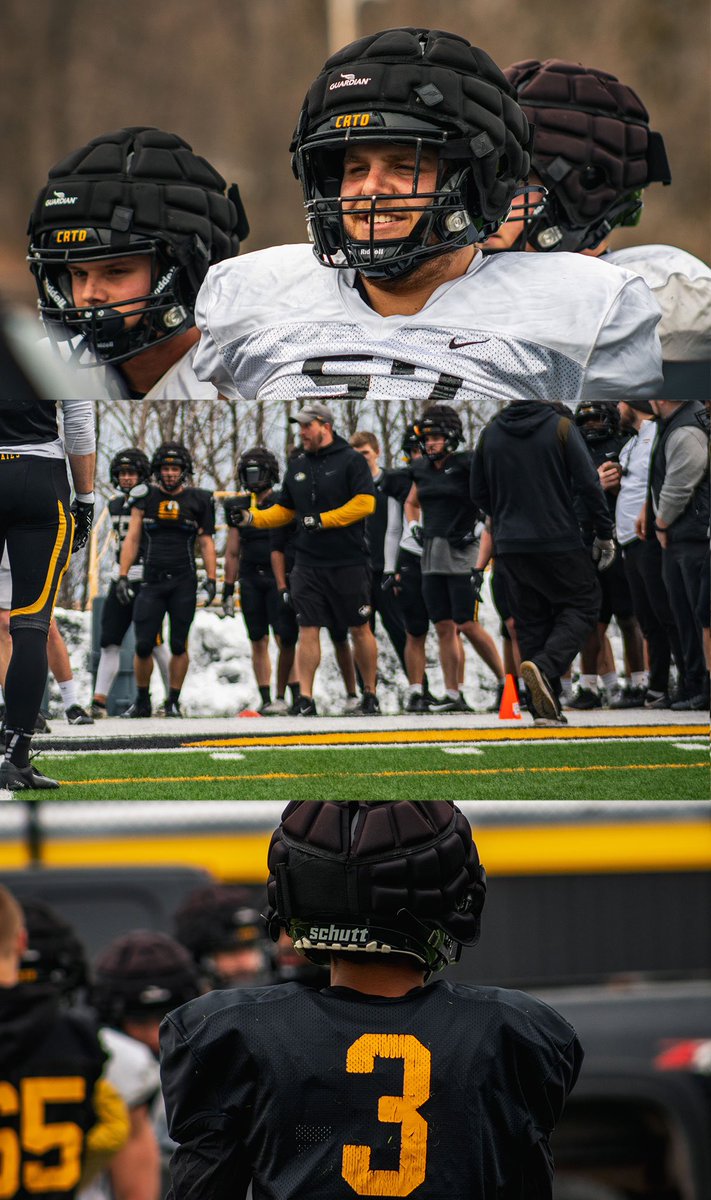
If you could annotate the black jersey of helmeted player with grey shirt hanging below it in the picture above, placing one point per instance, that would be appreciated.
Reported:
(444, 494)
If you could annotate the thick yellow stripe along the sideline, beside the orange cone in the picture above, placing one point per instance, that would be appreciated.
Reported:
(383, 737)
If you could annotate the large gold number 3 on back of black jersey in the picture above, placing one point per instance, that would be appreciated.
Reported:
(396, 1109)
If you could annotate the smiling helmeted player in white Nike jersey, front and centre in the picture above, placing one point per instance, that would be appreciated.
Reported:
(410, 149)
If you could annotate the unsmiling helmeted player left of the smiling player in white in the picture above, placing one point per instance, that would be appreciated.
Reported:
(121, 239)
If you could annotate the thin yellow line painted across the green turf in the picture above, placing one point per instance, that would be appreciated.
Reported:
(387, 775)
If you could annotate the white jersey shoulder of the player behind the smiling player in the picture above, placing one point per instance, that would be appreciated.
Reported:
(682, 286)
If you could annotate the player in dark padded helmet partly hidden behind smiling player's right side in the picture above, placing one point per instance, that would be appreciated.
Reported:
(595, 154)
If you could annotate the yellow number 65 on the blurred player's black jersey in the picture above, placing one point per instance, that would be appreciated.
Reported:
(39, 1137)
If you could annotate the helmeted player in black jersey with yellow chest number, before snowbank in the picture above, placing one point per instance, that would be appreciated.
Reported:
(171, 517)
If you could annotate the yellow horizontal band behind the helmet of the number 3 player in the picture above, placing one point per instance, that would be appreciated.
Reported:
(519, 850)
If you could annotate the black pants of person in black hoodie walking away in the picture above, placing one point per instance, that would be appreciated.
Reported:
(555, 603)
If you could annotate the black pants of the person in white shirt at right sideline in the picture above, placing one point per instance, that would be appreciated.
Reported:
(643, 567)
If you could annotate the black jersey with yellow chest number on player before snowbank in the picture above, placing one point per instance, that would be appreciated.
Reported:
(171, 524)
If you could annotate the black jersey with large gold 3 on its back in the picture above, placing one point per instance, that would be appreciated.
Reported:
(451, 1091)
